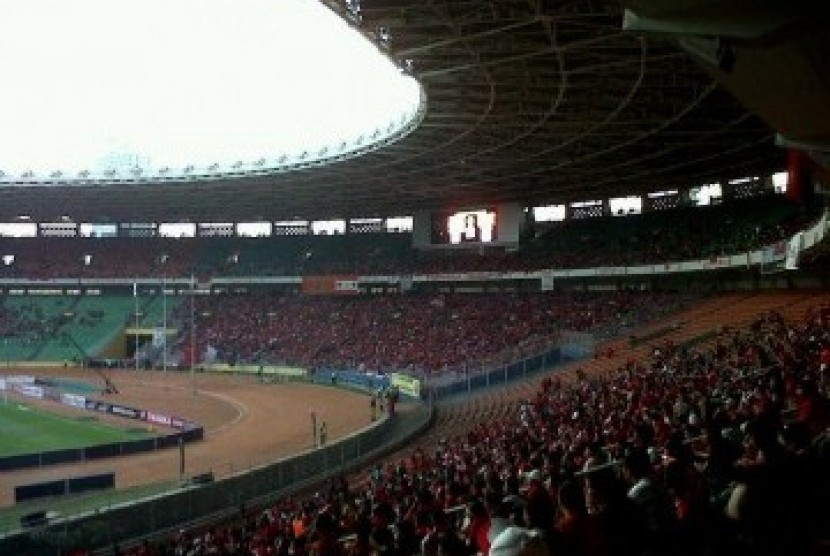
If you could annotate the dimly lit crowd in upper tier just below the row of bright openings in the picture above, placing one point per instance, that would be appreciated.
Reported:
(658, 236)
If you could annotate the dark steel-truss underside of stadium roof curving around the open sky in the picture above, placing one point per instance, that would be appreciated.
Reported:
(533, 101)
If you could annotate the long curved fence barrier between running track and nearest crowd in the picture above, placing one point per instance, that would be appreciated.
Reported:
(194, 504)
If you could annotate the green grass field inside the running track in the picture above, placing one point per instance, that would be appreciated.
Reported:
(25, 430)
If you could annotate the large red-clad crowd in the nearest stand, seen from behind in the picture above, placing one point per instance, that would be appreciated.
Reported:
(720, 450)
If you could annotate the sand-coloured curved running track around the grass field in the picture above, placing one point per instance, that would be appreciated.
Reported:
(246, 424)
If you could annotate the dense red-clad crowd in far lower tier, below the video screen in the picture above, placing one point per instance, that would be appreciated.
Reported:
(416, 333)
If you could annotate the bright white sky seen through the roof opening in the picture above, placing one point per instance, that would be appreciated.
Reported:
(159, 89)
